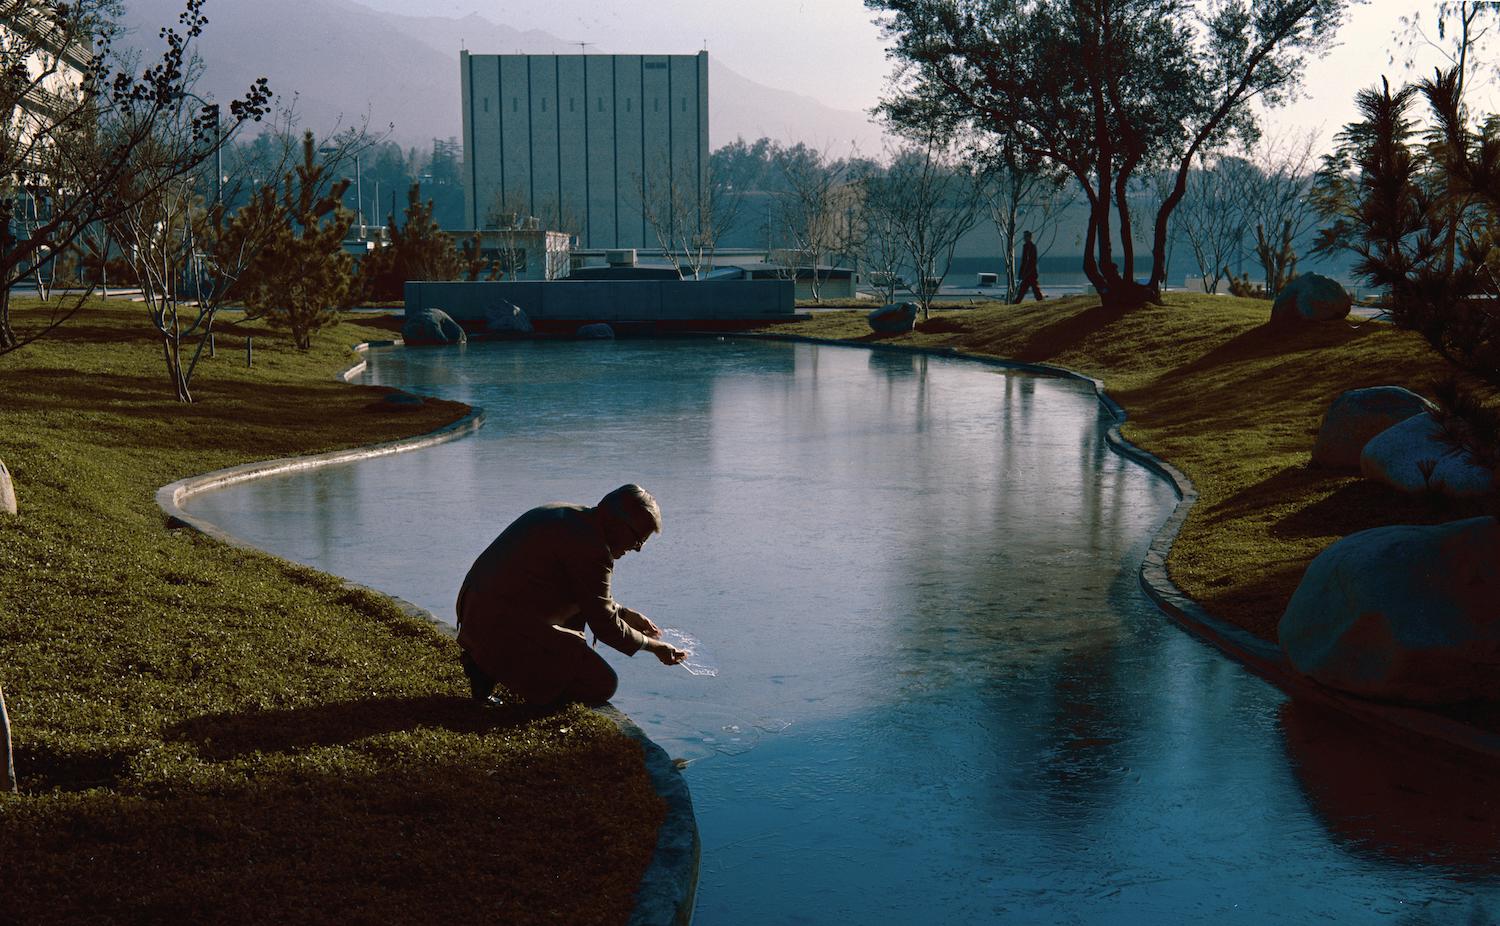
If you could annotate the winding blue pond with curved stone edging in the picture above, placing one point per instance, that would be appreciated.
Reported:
(943, 697)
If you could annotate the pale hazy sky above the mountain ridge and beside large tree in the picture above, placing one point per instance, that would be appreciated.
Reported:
(833, 52)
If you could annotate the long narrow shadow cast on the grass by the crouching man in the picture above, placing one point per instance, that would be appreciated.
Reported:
(227, 736)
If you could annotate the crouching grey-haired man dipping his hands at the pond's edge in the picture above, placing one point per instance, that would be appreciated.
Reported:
(529, 598)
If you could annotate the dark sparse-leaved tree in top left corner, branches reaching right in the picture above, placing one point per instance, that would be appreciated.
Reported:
(80, 119)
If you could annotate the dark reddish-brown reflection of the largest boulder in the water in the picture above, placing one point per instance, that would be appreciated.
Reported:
(1394, 801)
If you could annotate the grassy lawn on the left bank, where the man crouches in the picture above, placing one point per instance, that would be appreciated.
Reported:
(211, 735)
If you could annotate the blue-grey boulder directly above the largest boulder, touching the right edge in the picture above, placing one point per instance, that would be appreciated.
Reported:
(1414, 458)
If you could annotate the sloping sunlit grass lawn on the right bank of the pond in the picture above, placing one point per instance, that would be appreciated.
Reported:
(1231, 403)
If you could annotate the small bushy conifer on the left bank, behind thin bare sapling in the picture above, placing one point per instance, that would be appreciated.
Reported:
(304, 278)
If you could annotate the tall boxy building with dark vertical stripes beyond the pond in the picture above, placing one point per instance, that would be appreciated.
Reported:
(601, 146)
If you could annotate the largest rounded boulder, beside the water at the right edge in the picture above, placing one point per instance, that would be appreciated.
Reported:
(1403, 615)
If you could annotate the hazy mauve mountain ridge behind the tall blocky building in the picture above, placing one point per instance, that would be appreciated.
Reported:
(343, 62)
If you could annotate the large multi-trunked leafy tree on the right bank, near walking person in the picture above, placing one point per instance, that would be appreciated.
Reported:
(1102, 89)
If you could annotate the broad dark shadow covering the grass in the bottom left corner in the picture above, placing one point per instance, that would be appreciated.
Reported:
(422, 843)
